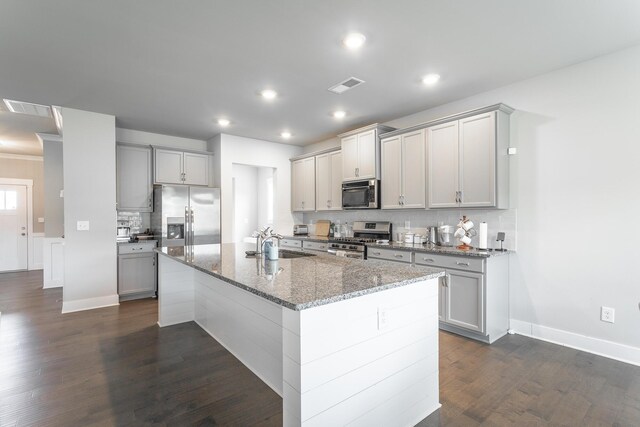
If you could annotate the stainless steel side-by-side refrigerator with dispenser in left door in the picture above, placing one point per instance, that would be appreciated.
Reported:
(184, 216)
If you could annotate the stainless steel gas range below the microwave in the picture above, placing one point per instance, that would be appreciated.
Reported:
(363, 232)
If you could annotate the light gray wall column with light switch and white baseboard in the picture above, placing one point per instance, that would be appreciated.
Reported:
(89, 195)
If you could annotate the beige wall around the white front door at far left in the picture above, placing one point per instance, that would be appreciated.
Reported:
(28, 169)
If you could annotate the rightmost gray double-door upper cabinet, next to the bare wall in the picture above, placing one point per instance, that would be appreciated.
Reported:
(467, 161)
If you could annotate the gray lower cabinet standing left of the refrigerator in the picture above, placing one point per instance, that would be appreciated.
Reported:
(136, 270)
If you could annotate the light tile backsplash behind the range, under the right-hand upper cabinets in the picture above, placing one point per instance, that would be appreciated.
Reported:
(497, 220)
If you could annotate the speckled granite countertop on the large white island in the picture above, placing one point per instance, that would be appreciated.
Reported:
(298, 283)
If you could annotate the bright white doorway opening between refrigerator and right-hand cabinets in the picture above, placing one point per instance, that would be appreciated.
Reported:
(253, 200)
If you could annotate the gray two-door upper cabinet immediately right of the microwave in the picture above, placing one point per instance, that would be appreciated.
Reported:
(403, 171)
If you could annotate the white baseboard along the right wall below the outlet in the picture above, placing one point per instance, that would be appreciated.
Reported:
(612, 350)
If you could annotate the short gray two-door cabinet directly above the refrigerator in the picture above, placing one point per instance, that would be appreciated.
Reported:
(177, 167)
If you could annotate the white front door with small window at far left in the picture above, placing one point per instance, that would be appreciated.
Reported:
(13, 227)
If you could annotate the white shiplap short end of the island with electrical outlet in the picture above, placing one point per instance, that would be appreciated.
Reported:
(343, 365)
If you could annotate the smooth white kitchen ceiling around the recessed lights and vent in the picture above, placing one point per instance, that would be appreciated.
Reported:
(174, 67)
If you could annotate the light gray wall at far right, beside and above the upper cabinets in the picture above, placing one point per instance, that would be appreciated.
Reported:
(575, 174)
